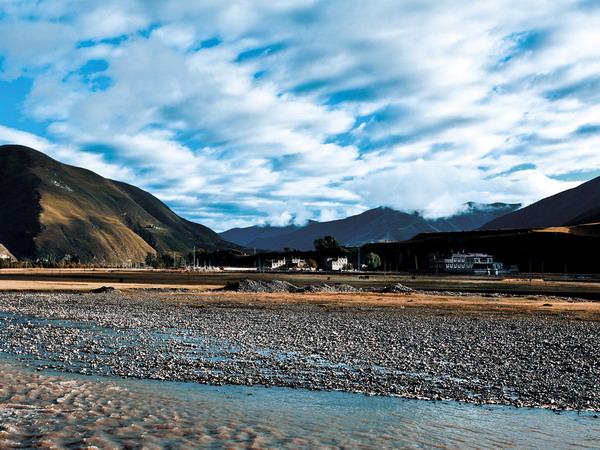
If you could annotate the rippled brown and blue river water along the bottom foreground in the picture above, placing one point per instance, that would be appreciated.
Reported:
(45, 409)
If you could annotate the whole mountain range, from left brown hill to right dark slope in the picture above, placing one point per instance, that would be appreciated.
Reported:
(50, 210)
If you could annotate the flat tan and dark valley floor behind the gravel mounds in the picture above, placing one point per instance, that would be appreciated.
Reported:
(81, 280)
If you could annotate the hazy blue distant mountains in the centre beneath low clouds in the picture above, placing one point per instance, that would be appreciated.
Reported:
(374, 225)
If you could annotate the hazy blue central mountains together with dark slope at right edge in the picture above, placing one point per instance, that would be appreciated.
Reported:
(577, 206)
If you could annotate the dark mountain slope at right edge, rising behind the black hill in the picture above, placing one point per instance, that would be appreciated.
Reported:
(575, 206)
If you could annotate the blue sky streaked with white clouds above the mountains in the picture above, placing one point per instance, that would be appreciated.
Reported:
(244, 112)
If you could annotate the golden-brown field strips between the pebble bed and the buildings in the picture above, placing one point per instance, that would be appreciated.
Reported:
(534, 297)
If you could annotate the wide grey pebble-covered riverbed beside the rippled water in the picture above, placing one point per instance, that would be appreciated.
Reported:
(411, 352)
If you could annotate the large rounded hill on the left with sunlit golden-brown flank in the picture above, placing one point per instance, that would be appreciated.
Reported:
(50, 210)
